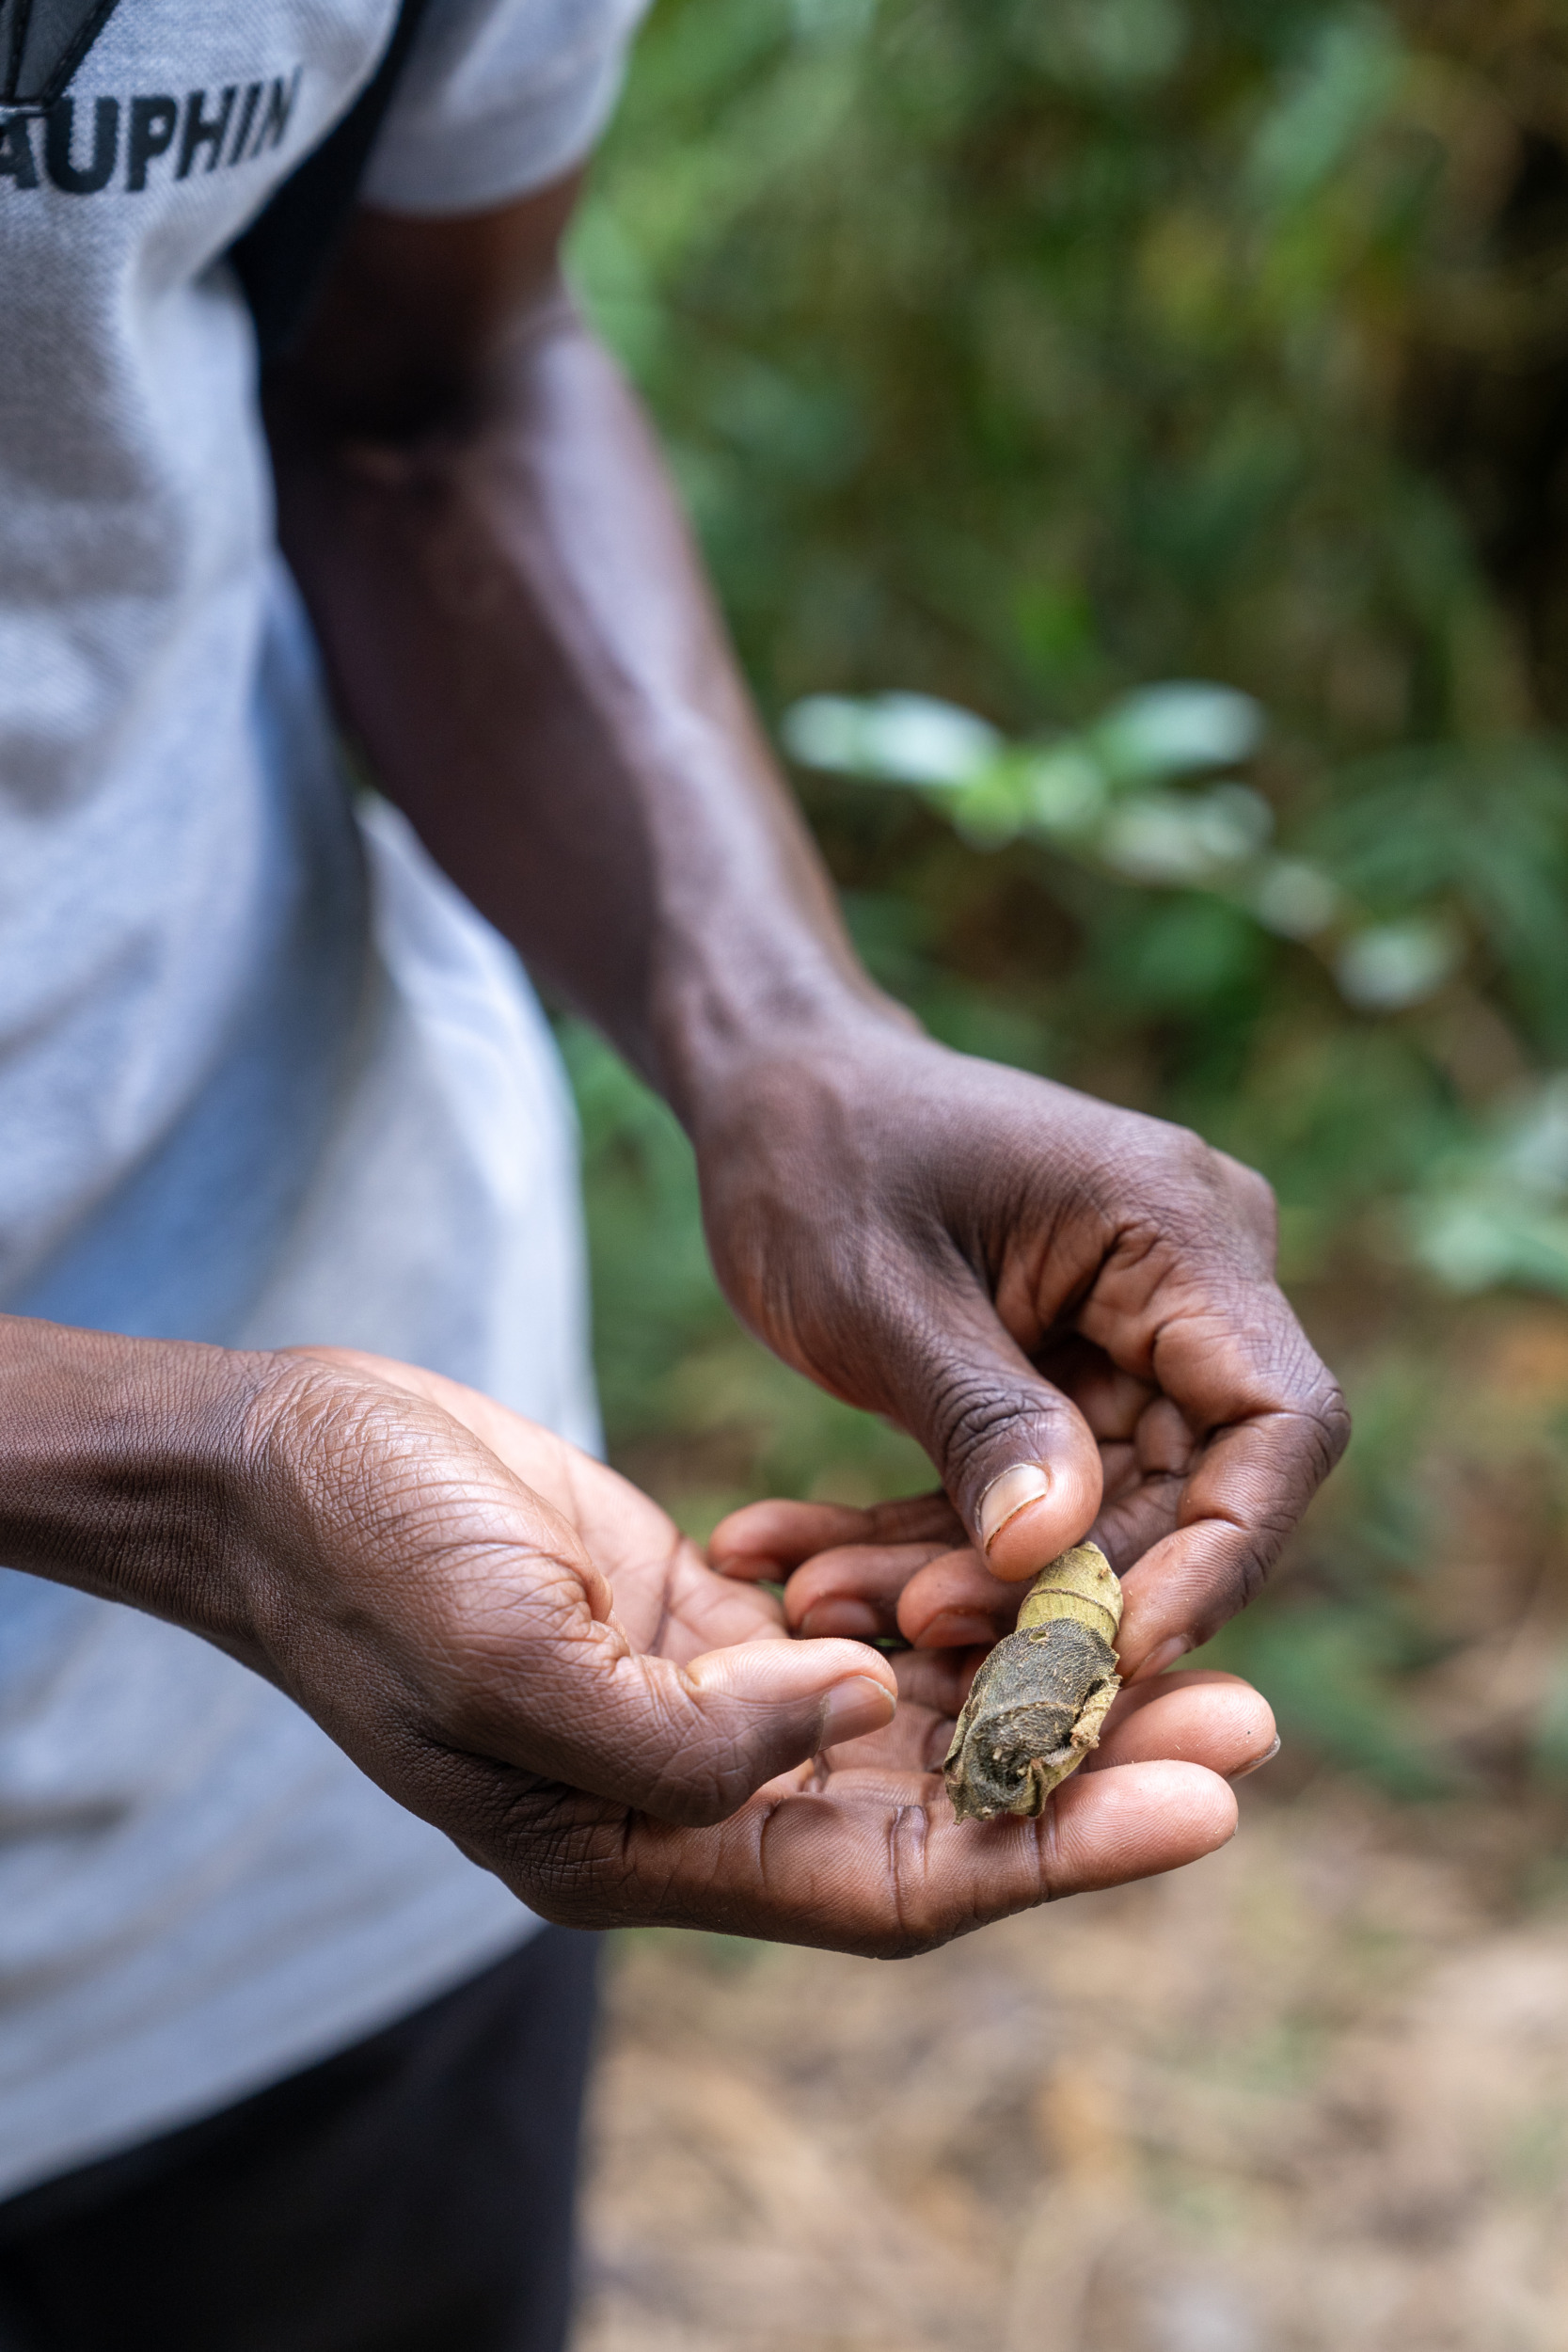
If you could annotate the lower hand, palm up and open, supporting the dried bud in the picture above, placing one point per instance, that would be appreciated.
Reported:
(523, 1650)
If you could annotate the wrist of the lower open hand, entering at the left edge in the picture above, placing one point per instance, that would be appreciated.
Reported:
(128, 1469)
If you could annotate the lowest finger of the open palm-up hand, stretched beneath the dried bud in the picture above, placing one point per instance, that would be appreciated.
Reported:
(878, 1864)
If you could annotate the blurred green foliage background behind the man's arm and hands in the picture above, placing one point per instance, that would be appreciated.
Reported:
(1031, 352)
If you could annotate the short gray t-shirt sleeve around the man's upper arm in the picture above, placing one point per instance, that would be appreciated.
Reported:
(500, 98)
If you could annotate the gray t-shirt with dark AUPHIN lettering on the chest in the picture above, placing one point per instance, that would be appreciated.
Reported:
(264, 1076)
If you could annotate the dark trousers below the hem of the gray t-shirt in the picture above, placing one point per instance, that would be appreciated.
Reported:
(410, 2196)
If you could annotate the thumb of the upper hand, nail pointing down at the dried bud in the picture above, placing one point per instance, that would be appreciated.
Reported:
(1012, 1450)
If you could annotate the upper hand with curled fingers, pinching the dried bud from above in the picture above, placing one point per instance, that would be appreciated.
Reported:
(1071, 1307)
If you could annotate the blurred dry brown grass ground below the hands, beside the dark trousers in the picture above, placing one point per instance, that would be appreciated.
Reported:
(1308, 2094)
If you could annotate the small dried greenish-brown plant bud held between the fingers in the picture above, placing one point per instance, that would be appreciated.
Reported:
(1040, 1699)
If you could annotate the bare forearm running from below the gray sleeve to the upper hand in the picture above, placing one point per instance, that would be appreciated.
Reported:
(523, 639)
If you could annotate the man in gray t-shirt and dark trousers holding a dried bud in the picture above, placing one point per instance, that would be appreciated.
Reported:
(279, 2064)
